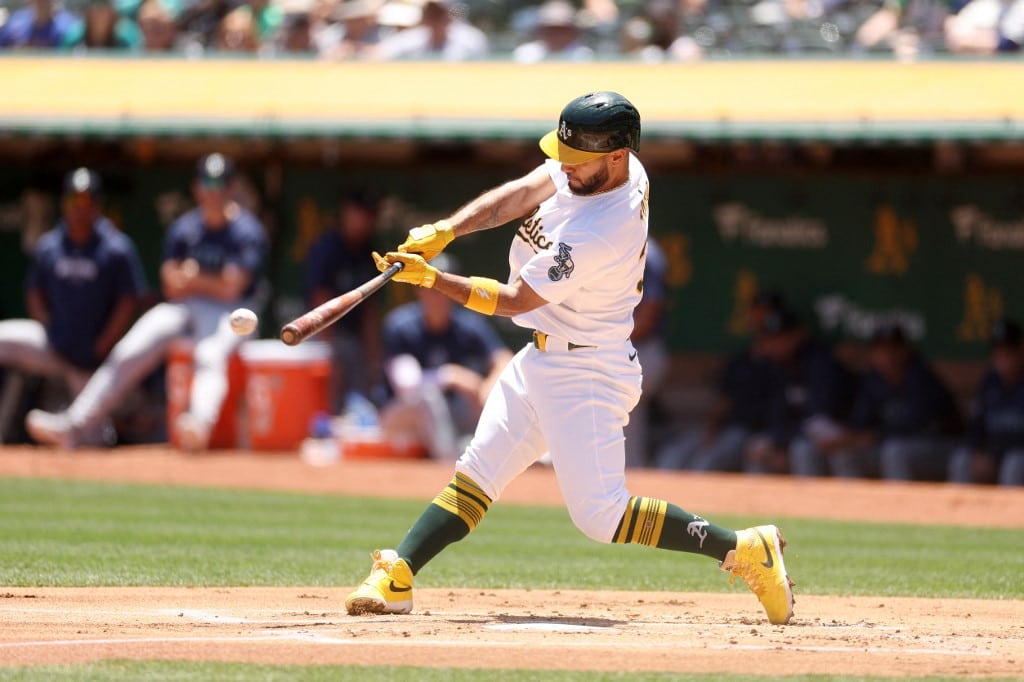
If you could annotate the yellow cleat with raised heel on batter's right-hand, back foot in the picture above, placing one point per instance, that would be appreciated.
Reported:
(758, 560)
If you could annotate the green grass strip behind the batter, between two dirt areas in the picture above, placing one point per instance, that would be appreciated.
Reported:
(58, 533)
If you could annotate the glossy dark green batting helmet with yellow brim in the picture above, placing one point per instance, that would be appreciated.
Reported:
(591, 126)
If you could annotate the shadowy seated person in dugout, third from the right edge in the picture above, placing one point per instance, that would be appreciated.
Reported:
(810, 395)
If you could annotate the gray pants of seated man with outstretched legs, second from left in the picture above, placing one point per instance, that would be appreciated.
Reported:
(146, 346)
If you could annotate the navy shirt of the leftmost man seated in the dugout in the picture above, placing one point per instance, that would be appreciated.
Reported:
(82, 284)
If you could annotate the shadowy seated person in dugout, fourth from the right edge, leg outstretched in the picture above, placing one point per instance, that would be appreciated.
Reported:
(741, 410)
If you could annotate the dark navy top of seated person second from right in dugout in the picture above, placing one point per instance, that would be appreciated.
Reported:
(920, 406)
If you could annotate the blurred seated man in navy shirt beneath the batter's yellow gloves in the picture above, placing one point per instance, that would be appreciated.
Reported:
(442, 361)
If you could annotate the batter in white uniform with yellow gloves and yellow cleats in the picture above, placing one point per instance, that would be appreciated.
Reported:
(577, 265)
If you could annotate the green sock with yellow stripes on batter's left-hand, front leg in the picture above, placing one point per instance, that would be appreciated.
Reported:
(453, 515)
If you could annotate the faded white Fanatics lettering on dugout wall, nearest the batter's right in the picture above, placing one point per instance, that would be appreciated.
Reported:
(738, 224)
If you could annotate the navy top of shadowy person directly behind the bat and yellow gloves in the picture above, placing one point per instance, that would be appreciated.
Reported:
(337, 267)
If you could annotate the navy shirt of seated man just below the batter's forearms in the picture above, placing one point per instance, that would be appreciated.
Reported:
(468, 342)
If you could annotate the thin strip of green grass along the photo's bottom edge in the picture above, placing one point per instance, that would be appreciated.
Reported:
(174, 671)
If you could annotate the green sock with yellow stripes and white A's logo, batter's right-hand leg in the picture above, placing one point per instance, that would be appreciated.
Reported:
(658, 524)
